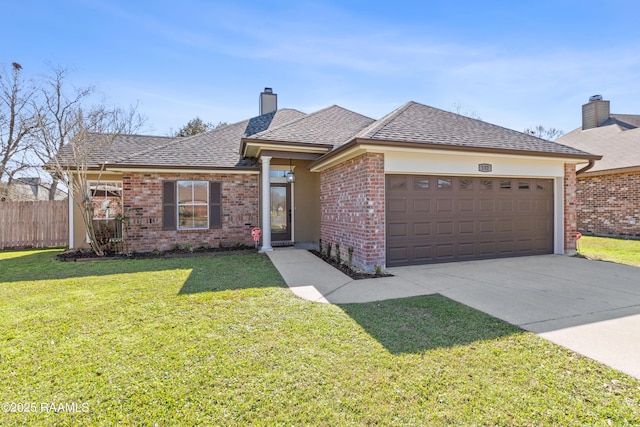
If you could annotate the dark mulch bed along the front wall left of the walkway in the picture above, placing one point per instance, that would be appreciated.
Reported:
(88, 255)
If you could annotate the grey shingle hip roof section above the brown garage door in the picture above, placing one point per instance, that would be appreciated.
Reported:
(421, 124)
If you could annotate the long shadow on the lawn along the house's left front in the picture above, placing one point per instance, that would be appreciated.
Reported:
(206, 273)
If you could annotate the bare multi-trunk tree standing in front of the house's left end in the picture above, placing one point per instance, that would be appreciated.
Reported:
(82, 160)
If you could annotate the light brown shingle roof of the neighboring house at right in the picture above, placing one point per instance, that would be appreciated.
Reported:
(619, 144)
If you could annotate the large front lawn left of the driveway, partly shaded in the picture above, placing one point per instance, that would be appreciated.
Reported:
(222, 341)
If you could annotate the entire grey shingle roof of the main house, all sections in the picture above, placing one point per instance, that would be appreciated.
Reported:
(333, 126)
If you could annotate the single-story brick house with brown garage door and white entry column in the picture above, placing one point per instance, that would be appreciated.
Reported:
(420, 185)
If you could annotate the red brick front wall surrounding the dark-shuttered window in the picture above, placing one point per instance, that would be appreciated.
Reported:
(142, 200)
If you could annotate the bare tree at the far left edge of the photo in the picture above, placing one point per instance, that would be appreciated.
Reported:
(17, 120)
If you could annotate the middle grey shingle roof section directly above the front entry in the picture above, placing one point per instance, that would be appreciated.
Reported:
(332, 126)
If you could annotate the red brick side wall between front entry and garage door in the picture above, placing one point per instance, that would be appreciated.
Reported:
(352, 209)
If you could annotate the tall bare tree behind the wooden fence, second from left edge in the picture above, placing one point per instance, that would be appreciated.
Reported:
(57, 118)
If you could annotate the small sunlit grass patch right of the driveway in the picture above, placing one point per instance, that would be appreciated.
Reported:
(608, 249)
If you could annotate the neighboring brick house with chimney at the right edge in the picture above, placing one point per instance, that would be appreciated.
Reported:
(608, 195)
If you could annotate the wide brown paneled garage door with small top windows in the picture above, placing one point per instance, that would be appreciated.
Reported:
(443, 218)
